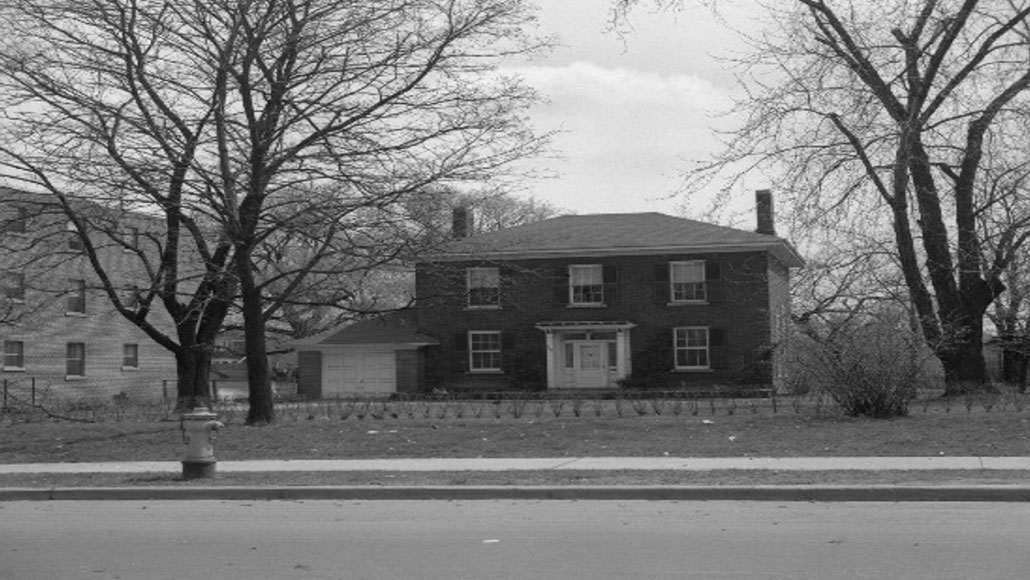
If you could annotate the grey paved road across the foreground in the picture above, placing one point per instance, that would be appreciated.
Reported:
(512, 539)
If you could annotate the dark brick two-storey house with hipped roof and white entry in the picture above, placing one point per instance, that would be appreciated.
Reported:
(590, 301)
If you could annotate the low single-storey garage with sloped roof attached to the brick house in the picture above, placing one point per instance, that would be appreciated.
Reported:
(372, 358)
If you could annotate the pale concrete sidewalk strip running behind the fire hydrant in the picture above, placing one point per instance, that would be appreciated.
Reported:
(550, 464)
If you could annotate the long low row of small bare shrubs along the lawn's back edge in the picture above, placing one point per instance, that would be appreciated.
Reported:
(27, 402)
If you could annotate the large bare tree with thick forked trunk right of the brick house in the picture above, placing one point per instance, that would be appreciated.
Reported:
(894, 108)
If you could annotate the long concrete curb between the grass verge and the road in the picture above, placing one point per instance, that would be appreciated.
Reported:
(642, 493)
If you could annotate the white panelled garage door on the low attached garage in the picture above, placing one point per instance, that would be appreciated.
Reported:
(359, 373)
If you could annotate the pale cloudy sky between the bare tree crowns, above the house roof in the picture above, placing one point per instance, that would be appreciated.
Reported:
(635, 110)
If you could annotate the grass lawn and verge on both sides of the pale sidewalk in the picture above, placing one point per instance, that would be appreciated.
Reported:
(747, 433)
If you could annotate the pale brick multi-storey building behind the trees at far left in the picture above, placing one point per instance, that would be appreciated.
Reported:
(58, 328)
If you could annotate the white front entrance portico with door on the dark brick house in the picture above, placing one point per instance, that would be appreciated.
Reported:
(587, 355)
